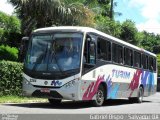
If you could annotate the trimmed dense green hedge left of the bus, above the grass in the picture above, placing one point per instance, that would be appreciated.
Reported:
(10, 78)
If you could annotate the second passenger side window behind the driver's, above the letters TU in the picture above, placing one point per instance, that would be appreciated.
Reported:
(117, 53)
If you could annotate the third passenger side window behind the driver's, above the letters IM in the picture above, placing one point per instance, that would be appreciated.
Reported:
(128, 57)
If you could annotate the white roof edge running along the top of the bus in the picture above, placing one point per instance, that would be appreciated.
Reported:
(88, 29)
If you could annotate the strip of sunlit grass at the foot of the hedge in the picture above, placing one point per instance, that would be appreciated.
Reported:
(18, 99)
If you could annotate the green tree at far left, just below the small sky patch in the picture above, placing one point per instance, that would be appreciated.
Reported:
(10, 30)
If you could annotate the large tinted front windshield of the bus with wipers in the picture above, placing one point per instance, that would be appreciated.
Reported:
(57, 52)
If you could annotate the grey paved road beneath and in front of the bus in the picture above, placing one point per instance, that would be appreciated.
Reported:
(150, 105)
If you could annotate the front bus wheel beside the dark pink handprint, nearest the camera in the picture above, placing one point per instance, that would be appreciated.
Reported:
(100, 97)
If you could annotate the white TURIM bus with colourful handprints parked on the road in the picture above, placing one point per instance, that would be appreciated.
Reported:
(84, 64)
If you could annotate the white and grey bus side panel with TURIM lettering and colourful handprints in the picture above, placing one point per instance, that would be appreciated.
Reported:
(121, 82)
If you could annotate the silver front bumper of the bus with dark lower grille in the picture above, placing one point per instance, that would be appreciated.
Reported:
(68, 91)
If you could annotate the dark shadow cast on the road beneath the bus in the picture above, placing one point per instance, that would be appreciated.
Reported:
(72, 104)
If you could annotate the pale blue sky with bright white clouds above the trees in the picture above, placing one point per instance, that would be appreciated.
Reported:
(145, 13)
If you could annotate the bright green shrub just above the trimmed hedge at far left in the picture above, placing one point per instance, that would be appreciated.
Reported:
(8, 53)
